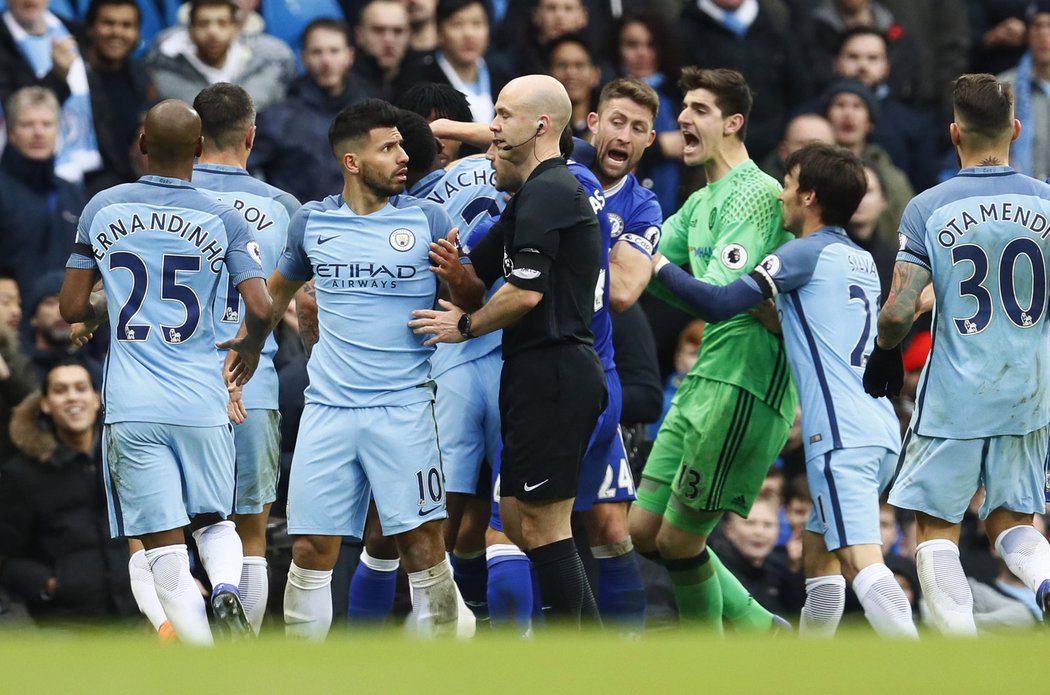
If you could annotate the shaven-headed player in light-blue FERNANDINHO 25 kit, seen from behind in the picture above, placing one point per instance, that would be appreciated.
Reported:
(160, 247)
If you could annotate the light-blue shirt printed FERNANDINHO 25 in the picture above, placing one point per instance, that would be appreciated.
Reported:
(161, 247)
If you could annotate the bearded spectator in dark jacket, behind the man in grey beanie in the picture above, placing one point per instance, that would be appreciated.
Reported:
(908, 135)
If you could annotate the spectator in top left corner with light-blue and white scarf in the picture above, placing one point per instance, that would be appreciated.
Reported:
(37, 49)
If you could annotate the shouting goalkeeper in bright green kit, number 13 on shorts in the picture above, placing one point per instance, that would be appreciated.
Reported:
(733, 413)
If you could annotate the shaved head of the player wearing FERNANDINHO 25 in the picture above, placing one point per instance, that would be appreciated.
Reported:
(172, 139)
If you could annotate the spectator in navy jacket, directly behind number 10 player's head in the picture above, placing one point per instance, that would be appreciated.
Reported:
(291, 138)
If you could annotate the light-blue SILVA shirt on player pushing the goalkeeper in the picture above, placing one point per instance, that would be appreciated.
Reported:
(827, 289)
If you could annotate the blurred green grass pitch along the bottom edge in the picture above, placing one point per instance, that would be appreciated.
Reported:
(553, 663)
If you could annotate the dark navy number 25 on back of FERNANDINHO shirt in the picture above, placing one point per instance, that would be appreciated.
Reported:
(171, 290)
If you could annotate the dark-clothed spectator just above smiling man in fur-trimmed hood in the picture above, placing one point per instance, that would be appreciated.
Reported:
(51, 339)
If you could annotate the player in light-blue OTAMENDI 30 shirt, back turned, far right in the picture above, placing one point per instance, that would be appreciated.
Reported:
(983, 408)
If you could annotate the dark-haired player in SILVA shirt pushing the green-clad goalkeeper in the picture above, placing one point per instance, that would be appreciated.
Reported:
(828, 291)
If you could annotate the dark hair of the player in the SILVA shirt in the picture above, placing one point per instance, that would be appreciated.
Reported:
(835, 175)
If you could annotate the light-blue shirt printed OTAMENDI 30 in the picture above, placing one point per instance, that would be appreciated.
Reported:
(984, 238)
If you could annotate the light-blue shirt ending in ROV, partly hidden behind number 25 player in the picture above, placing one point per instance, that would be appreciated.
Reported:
(267, 210)
